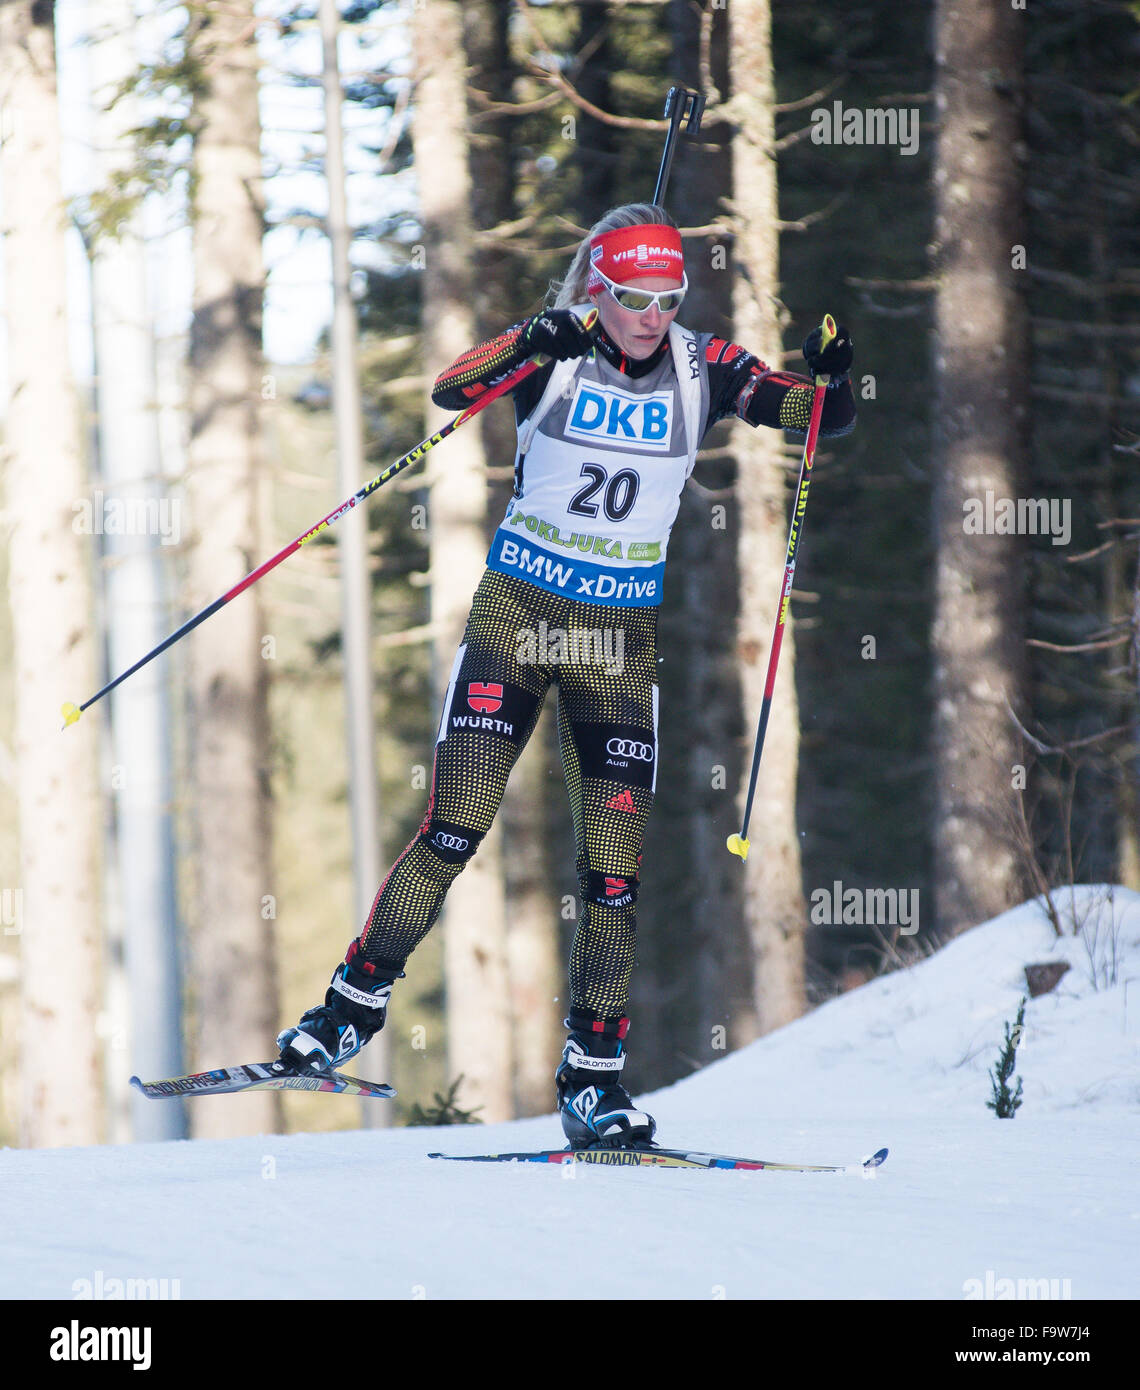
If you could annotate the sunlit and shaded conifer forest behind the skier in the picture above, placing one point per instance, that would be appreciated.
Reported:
(959, 708)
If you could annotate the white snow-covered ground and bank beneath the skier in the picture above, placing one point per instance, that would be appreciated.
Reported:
(964, 1202)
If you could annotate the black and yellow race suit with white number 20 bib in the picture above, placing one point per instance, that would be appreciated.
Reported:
(571, 598)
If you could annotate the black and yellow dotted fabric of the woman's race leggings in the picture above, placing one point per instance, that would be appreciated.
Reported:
(472, 768)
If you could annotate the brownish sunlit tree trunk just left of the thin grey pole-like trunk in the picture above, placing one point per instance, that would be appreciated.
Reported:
(234, 975)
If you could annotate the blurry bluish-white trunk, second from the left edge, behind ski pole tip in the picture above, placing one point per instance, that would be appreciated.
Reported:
(137, 615)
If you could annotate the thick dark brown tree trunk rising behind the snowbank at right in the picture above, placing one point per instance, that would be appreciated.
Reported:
(981, 370)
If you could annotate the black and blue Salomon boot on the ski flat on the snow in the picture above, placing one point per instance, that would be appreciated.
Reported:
(597, 1111)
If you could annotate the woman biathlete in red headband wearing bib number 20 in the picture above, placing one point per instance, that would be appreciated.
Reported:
(608, 433)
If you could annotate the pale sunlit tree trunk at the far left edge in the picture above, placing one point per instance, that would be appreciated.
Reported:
(51, 594)
